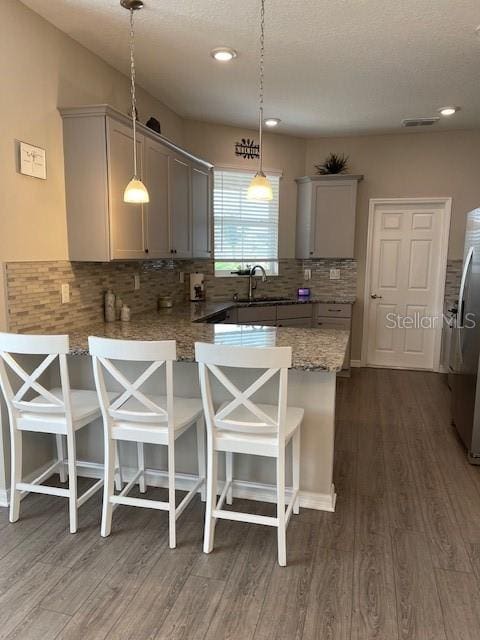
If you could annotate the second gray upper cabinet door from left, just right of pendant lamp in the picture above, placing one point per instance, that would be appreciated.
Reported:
(157, 238)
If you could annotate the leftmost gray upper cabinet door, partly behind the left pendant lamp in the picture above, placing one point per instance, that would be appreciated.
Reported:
(127, 230)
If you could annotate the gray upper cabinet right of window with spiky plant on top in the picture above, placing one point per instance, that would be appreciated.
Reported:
(326, 207)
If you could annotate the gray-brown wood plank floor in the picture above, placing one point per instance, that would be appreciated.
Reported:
(398, 560)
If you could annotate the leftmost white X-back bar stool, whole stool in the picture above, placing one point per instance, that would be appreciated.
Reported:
(60, 411)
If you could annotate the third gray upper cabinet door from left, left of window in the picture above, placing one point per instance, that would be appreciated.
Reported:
(180, 208)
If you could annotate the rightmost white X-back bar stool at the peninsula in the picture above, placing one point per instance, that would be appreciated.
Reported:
(241, 426)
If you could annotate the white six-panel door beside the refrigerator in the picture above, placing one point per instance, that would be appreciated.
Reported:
(405, 262)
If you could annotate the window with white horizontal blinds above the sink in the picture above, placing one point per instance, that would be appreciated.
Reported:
(246, 233)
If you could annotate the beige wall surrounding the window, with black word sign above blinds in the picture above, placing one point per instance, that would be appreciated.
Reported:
(284, 153)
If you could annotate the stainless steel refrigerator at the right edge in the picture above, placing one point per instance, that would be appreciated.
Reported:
(464, 376)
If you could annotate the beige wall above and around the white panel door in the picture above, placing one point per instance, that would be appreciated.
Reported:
(408, 165)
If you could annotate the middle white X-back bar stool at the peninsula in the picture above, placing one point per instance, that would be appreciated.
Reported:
(137, 417)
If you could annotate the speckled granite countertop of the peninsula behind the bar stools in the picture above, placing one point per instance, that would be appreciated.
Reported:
(318, 348)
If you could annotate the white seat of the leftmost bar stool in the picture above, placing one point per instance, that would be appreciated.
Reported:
(84, 408)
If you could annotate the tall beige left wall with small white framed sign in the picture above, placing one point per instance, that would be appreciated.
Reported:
(42, 68)
